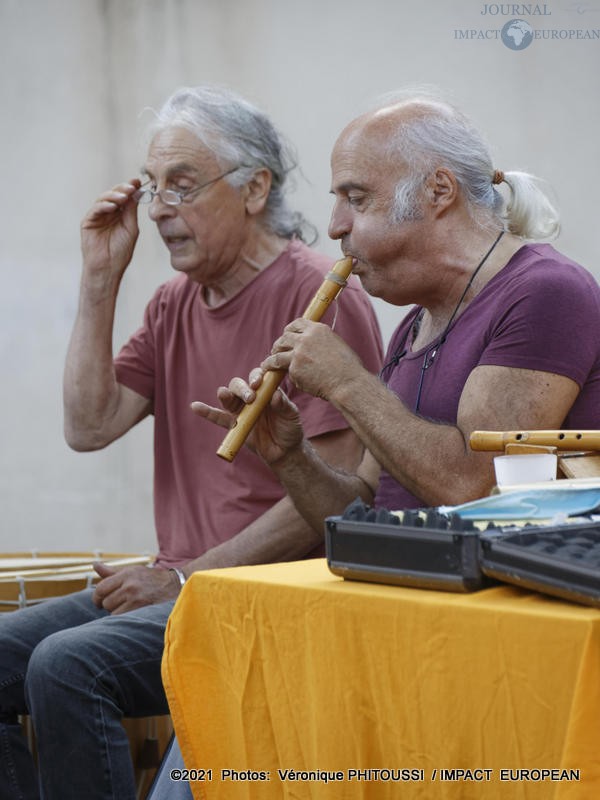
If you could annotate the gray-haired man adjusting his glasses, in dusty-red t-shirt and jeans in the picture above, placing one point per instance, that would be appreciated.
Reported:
(213, 182)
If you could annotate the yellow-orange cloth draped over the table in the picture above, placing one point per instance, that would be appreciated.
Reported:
(287, 667)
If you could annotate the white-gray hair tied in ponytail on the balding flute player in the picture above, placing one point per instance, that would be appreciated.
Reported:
(443, 136)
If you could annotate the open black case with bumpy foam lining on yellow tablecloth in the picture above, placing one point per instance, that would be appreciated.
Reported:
(428, 549)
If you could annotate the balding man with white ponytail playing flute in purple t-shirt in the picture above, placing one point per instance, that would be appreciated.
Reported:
(504, 333)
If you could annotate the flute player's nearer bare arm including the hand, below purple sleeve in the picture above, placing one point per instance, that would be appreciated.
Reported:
(432, 460)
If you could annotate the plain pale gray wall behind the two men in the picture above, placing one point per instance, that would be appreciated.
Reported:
(75, 77)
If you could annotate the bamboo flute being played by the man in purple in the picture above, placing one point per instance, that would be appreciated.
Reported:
(334, 282)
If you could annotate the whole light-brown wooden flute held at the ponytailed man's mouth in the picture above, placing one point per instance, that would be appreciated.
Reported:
(334, 282)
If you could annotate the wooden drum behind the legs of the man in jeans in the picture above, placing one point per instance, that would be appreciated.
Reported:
(27, 578)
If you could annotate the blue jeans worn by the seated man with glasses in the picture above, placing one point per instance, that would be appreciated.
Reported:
(77, 671)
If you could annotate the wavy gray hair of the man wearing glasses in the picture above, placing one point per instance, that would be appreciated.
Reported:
(238, 133)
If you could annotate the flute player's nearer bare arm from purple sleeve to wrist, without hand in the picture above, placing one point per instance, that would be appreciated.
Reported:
(433, 460)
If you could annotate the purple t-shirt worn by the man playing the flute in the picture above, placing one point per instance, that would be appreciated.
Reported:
(541, 312)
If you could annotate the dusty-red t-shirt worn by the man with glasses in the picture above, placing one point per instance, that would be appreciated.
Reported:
(185, 350)
